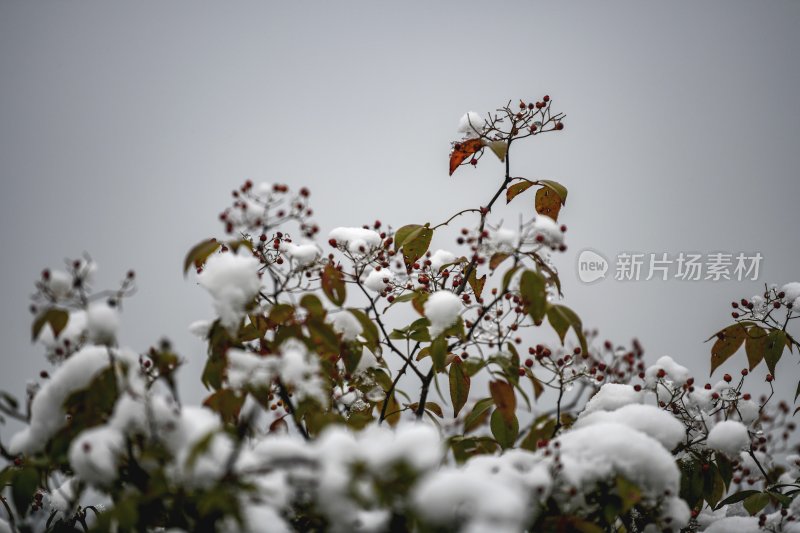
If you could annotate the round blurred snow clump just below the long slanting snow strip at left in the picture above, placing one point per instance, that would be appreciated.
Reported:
(94, 454)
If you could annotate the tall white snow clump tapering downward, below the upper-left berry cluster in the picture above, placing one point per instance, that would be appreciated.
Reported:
(233, 282)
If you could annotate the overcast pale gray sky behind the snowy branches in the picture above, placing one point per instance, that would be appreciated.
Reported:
(123, 127)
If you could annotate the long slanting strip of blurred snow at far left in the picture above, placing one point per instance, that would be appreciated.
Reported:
(47, 414)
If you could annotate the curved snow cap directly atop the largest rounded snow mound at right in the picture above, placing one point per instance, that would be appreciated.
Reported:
(648, 419)
